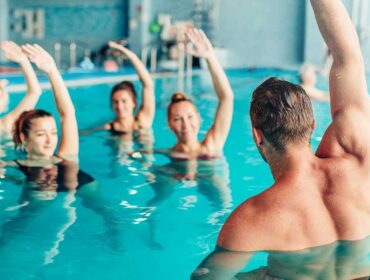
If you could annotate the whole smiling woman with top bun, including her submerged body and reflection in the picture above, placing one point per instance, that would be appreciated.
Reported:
(211, 177)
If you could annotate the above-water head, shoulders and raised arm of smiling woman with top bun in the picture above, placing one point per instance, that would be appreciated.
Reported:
(184, 118)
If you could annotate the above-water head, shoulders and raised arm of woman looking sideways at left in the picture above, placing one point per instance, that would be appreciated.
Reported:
(36, 130)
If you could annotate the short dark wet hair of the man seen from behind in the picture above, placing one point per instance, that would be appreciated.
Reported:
(283, 112)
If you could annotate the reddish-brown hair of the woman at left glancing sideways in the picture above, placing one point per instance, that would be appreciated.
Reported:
(23, 124)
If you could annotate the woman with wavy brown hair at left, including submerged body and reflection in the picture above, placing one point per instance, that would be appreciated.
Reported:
(48, 170)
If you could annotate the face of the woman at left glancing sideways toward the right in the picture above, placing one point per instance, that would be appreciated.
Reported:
(42, 138)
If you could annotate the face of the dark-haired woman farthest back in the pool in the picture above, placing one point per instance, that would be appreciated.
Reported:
(123, 104)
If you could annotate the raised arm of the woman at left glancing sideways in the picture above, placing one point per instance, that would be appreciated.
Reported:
(69, 143)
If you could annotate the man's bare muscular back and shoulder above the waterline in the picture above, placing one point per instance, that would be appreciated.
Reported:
(323, 200)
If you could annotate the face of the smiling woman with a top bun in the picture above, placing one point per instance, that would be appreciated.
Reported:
(184, 120)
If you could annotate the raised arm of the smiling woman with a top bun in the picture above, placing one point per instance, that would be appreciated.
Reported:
(217, 134)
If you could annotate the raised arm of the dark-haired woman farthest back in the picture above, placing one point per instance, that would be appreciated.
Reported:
(146, 113)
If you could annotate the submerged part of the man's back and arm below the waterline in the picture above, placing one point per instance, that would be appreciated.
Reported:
(340, 260)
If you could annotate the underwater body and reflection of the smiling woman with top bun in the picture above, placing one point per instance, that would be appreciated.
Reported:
(209, 177)
